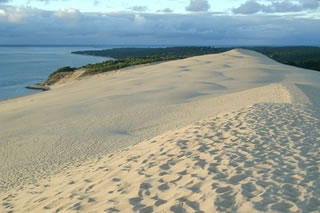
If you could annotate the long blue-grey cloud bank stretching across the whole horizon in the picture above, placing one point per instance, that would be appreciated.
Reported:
(31, 26)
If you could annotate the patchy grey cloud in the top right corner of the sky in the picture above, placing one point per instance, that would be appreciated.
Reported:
(282, 6)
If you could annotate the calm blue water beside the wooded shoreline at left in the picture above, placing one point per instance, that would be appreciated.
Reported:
(25, 65)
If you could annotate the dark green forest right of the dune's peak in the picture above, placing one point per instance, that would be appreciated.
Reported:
(303, 57)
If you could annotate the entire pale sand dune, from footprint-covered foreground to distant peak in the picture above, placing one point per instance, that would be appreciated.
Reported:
(233, 132)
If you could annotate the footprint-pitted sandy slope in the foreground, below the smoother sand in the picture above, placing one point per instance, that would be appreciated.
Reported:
(264, 157)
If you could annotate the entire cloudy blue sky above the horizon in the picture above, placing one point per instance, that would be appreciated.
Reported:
(155, 22)
